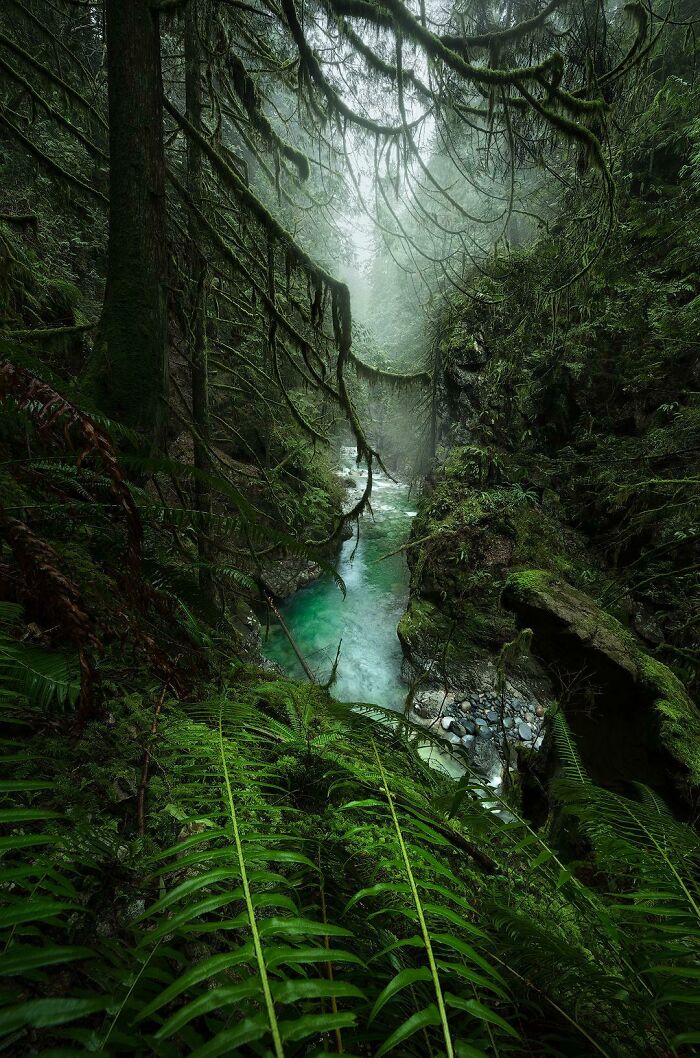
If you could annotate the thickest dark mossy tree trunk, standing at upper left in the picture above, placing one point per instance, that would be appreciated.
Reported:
(133, 366)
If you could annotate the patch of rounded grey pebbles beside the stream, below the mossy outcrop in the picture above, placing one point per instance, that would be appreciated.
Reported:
(488, 722)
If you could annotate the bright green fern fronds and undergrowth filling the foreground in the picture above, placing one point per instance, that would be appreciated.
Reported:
(302, 886)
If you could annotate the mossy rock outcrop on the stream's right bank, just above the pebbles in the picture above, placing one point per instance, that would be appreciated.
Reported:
(472, 531)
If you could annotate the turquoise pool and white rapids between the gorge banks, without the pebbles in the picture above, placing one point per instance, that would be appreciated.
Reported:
(319, 617)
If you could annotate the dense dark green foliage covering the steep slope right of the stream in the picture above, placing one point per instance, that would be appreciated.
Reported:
(584, 398)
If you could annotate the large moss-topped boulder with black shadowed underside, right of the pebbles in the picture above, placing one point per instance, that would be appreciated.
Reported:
(639, 722)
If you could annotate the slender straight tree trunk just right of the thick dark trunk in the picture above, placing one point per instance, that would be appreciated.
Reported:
(198, 284)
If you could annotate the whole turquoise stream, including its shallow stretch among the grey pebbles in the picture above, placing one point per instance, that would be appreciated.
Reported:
(371, 662)
